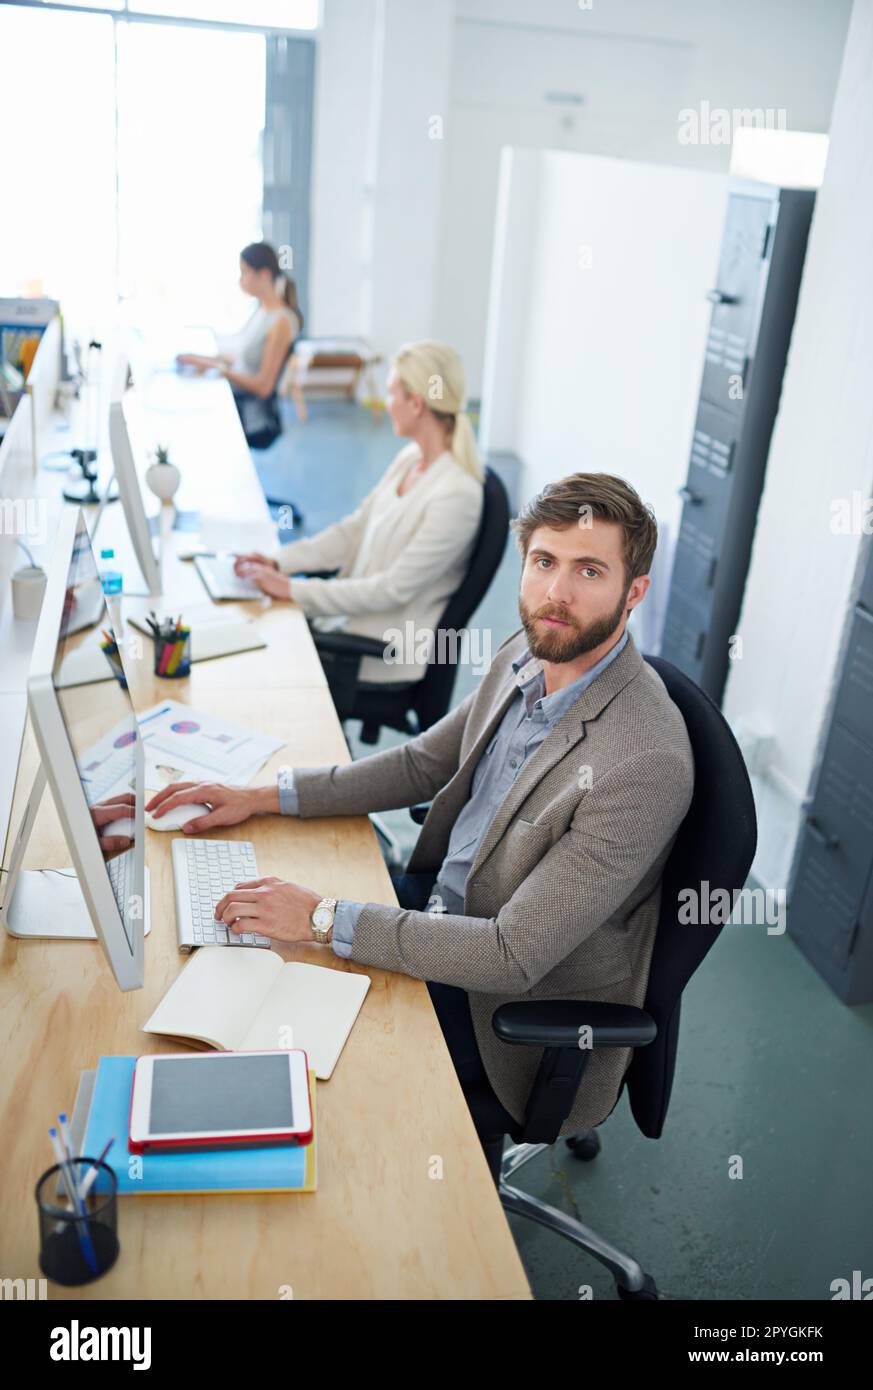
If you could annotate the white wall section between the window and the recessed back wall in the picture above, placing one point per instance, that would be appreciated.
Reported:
(383, 74)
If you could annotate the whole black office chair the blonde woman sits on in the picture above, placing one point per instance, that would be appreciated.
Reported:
(412, 707)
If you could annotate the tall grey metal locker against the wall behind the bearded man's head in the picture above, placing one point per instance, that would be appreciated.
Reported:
(754, 304)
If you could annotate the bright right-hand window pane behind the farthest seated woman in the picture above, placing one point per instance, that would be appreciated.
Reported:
(191, 115)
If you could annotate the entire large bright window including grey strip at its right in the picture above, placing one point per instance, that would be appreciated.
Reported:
(138, 174)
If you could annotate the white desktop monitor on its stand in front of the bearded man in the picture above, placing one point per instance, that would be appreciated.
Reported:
(92, 760)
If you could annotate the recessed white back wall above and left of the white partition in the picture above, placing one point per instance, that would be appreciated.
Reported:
(635, 66)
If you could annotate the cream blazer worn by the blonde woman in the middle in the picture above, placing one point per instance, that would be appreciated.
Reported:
(400, 562)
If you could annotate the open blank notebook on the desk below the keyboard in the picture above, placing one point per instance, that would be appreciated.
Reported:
(238, 1000)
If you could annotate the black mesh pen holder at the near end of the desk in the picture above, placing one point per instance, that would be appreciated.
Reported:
(73, 1249)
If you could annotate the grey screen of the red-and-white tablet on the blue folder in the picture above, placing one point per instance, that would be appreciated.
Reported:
(220, 1095)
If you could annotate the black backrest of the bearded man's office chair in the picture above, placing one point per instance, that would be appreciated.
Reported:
(715, 846)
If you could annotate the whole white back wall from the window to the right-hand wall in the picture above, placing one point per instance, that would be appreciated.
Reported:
(404, 224)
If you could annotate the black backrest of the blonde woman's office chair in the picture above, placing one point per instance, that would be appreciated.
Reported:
(434, 693)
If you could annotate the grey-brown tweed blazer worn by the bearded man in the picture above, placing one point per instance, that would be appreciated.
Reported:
(562, 899)
